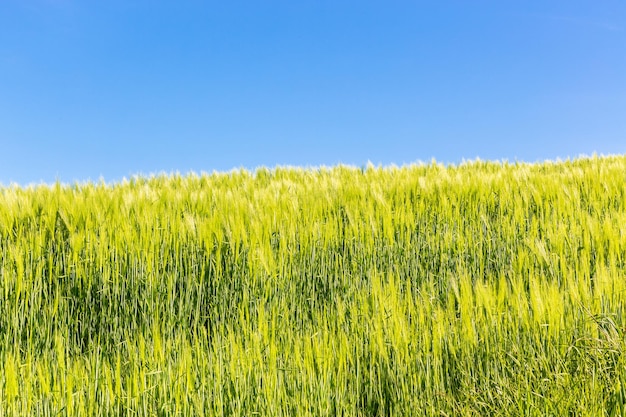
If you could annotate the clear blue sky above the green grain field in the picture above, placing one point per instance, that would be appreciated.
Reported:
(109, 89)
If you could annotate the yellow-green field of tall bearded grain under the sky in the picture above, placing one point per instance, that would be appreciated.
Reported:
(478, 289)
